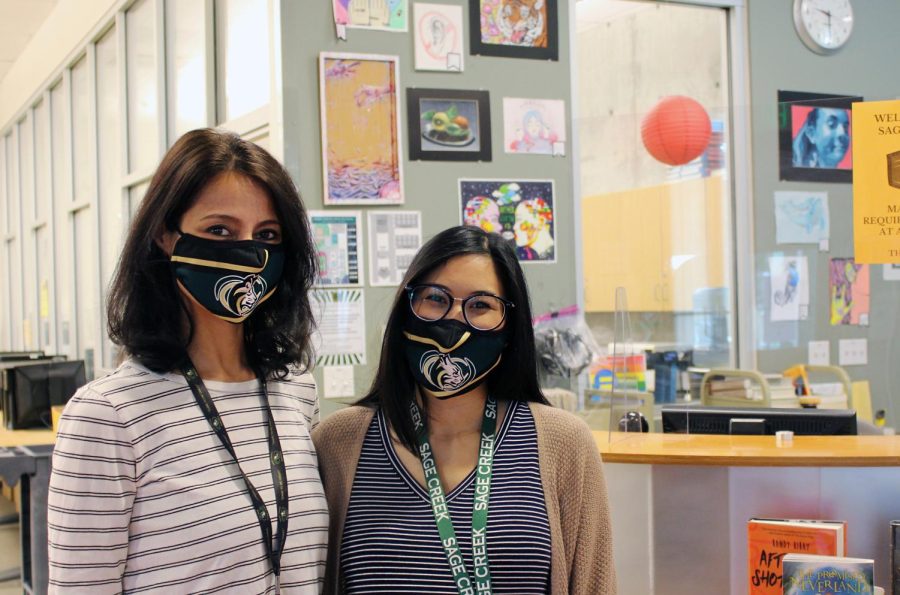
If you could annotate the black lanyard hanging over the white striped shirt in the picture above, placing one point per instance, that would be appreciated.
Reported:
(276, 464)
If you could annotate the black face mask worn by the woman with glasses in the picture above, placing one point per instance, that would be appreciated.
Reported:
(449, 358)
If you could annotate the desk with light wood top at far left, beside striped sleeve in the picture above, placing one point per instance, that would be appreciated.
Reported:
(25, 460)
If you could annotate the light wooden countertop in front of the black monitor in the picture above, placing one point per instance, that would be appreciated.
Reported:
(748, 451)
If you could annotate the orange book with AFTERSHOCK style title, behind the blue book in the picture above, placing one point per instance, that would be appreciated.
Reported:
(769, 540)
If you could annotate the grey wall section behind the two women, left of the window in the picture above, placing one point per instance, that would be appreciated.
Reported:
(430, 186)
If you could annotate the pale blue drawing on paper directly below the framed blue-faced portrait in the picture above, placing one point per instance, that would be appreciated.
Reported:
(801, 217)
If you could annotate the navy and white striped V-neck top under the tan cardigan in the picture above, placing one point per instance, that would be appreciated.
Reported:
(391, 543)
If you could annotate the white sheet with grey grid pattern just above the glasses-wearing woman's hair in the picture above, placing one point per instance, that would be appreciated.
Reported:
(394, 239)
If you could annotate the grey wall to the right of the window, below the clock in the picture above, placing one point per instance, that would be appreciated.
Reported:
(866, 66)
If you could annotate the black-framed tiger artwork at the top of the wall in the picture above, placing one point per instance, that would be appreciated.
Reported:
(514, 28)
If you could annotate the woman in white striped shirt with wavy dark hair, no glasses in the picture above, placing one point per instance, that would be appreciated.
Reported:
(190, 468)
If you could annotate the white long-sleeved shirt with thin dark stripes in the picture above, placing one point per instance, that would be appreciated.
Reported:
(145, 499)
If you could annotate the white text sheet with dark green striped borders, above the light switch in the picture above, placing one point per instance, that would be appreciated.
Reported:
(340, 338)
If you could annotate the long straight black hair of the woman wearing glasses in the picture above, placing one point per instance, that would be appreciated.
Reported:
(515, 379)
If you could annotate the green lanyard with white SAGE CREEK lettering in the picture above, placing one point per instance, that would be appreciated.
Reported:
(464, 583)
